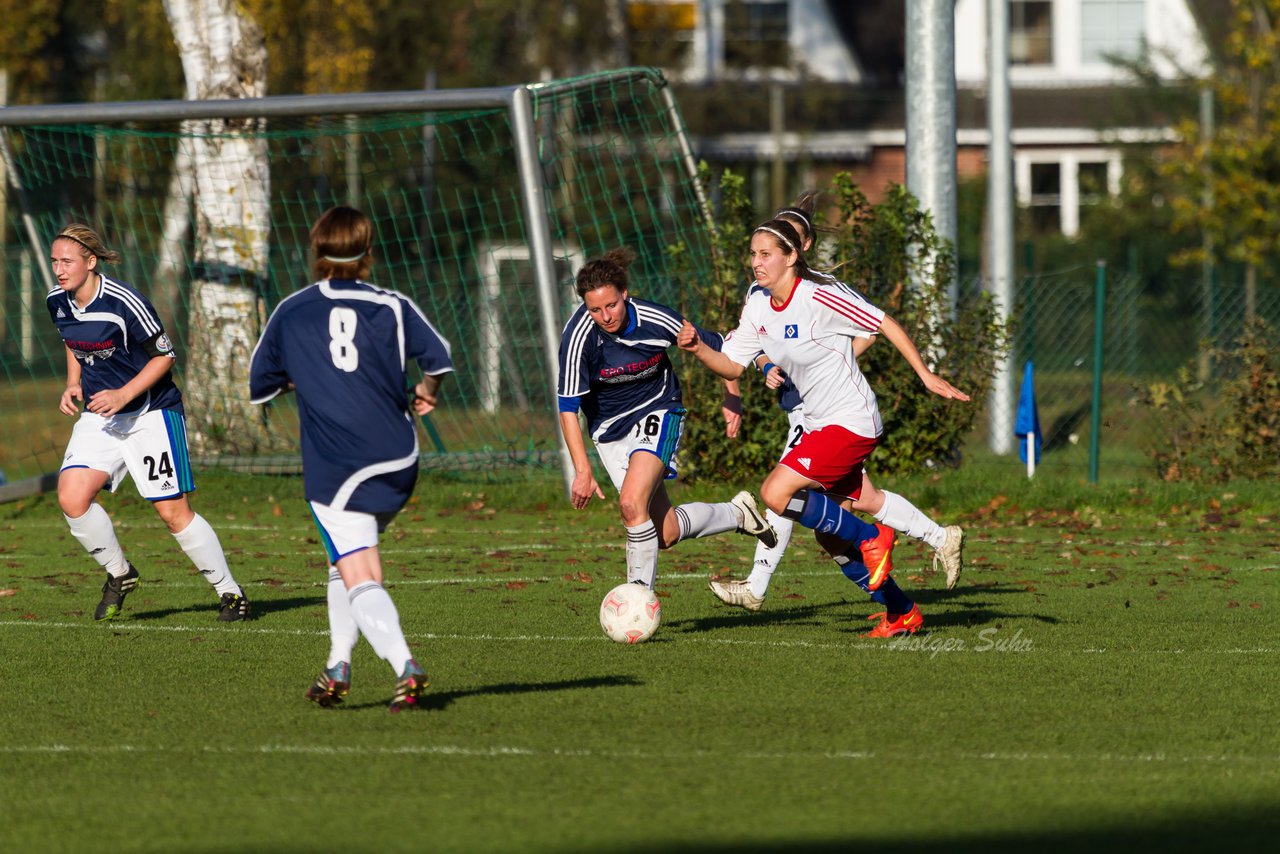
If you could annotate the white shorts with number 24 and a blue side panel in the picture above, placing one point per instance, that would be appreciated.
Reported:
(152, 447)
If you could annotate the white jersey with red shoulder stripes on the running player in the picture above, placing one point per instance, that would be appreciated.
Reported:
(810, 340)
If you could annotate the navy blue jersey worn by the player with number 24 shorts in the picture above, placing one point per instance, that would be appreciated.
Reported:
(113, 339)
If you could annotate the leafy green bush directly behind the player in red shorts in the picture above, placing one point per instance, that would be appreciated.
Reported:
(892, 253)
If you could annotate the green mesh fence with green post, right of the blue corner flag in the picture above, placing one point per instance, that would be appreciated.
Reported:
(1150, 332)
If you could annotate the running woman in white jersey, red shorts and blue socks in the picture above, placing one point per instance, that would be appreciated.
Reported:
(803, 322)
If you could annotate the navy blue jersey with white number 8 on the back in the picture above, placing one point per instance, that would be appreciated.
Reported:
(346, 346)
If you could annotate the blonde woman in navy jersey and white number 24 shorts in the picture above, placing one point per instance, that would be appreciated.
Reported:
(118, 367)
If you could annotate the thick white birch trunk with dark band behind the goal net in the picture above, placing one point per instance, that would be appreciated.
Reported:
(225, 57)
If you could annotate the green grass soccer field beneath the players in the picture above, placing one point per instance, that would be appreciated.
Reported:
(1104, 678)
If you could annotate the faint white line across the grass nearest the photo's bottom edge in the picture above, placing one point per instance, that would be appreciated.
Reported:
(578, 753)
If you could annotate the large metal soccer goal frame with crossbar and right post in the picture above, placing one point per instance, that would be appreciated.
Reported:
(541, 250)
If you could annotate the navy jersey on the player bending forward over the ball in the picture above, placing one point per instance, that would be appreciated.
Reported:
(619, 380)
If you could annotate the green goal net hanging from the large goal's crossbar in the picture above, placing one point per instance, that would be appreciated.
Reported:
(451, 204)
